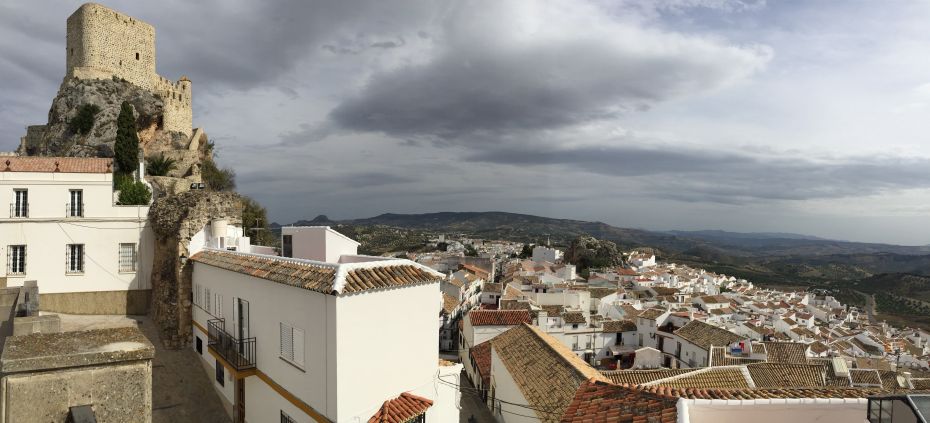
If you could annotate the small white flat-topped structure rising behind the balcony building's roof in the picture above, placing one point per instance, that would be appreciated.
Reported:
(319, 243)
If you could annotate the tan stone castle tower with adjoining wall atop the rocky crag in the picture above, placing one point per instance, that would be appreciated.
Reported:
(103, 43)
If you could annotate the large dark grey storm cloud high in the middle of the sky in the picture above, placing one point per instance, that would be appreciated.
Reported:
(491, 78)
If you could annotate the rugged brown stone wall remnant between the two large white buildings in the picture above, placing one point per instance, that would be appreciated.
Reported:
(176, 219)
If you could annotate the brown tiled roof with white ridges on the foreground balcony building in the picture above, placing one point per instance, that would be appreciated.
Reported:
(326, 278)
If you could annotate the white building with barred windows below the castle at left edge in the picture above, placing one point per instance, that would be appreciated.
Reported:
(64, 230)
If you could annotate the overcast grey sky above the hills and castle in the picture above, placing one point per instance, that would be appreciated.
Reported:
(807, 117)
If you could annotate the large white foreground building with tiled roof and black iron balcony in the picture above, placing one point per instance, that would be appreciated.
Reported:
(301, 340)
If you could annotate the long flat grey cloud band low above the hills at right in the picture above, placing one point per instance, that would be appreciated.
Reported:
(728, 177)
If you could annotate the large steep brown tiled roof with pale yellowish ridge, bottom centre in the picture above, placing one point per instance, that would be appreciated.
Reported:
(544, 369)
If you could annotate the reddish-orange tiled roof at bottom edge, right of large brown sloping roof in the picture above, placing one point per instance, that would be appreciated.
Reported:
(603, 402)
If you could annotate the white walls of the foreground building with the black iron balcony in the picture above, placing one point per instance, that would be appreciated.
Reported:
(345, 343)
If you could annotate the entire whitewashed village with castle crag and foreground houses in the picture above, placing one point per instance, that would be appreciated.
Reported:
(141, 295)
